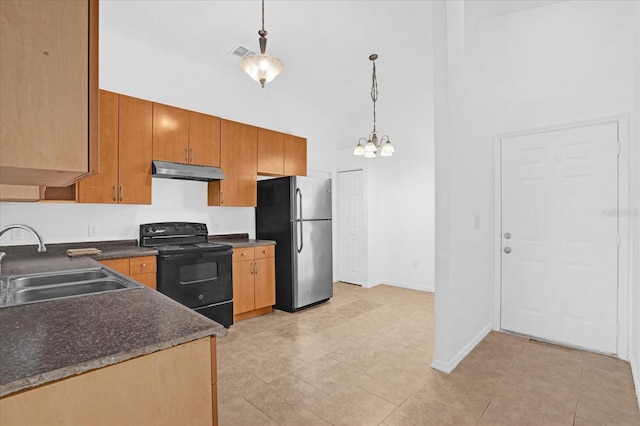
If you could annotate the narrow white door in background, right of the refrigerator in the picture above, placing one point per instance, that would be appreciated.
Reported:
(350, 248)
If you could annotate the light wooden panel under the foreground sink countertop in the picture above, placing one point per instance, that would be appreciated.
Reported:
(175, 386)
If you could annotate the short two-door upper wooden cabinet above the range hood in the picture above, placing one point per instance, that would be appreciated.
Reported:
(184, 136)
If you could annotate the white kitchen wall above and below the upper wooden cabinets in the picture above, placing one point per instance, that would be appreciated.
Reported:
(135, 69)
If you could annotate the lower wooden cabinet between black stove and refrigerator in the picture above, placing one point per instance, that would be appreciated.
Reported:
(254, 281)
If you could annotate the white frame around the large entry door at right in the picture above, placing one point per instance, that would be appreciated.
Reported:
(624, 309)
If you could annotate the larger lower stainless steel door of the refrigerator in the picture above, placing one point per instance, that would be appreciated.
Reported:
(312, 266)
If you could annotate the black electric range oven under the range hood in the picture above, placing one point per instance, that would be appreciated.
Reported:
(191, 270)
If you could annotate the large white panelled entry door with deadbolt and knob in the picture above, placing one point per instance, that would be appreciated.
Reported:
(559, 248)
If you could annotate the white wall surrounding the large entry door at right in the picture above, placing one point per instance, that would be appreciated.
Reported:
(562, 63)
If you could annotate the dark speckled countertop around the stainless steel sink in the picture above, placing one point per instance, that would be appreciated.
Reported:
(47, 341)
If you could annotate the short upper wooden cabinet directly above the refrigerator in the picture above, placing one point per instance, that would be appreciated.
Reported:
(280, 154)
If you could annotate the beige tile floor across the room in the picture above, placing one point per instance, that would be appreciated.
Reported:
(364, 359)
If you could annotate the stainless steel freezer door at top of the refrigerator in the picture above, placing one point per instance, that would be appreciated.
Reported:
(312, 198)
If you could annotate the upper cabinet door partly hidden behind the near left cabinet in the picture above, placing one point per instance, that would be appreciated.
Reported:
(102, 188)
